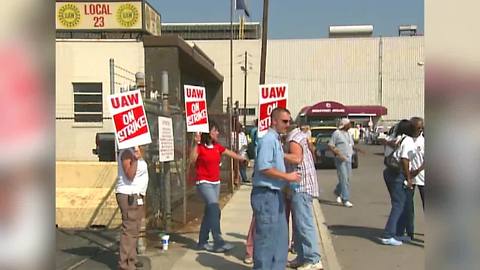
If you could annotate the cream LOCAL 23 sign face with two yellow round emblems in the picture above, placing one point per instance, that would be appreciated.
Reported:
(98, 15)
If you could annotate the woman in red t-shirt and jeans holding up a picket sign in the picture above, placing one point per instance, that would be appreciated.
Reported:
(206, 154)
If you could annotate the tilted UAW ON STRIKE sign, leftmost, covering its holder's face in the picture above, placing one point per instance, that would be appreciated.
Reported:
(129, 119)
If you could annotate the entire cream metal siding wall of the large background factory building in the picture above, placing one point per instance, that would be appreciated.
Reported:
(339, 69)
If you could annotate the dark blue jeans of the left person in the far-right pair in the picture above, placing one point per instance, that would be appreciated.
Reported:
(398, 196)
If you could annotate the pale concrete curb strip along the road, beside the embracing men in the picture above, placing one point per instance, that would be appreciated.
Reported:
(329, 259)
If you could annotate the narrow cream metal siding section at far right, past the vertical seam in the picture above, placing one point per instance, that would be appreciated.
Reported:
(403, 77)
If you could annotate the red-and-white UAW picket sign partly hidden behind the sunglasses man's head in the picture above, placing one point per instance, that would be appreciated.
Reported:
(271, 96)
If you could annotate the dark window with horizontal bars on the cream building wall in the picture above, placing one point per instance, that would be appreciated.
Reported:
(87, 102)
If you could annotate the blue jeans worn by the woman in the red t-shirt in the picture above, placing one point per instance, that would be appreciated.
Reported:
(211, 216)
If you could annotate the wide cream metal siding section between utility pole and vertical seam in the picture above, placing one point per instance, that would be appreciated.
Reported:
(343, 70)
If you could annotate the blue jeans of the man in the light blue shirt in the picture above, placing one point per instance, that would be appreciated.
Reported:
(270, 243)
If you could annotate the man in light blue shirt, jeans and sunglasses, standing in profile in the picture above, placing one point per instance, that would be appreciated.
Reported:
(271, 236)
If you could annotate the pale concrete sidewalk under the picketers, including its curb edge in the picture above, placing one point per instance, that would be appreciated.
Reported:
(235, 222)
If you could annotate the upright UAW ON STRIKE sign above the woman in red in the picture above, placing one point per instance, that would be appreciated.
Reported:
(196, 108)
